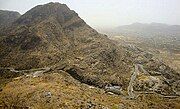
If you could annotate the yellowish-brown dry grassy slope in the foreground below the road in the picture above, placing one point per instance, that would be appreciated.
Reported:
(68, 93)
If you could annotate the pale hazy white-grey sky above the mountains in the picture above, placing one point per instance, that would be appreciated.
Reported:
(110, 13)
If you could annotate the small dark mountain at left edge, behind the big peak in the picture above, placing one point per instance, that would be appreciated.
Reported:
(7, 17)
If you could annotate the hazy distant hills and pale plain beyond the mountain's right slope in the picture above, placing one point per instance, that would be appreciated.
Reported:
(161, 36)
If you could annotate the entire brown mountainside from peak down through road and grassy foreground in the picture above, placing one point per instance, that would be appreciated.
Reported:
(50, 58)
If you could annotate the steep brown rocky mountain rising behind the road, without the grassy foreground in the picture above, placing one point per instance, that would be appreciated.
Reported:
(53, 35)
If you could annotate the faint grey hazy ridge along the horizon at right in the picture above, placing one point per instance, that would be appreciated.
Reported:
(149, 30)
